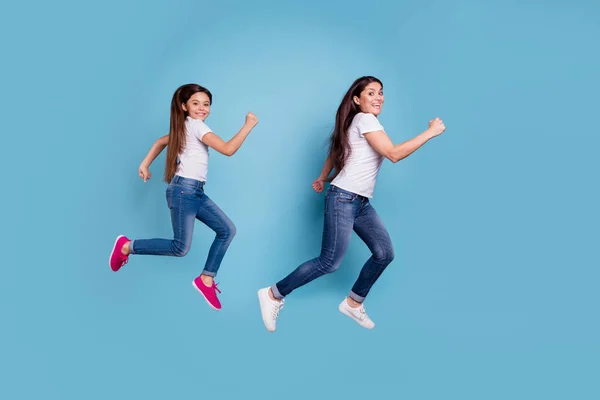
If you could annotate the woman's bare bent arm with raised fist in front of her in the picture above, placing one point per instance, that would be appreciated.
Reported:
(380, 141)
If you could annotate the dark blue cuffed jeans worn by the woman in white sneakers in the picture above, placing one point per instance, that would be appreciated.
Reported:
(344, 212)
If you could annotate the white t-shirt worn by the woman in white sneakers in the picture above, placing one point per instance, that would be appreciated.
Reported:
(360, 169)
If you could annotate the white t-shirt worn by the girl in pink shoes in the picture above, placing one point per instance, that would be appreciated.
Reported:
(193, 159)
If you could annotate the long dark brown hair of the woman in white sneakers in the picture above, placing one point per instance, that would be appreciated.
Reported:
(339, 145)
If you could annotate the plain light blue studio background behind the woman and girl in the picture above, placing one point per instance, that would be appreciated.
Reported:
(494, 291)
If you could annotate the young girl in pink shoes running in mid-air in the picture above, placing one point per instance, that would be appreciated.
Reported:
(186, 169)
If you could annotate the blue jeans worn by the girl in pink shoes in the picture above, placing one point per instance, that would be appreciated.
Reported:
(187, 201)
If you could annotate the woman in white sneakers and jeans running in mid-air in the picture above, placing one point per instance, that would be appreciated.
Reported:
(358, 146)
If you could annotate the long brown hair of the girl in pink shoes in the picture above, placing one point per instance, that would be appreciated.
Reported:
(177, 129)
